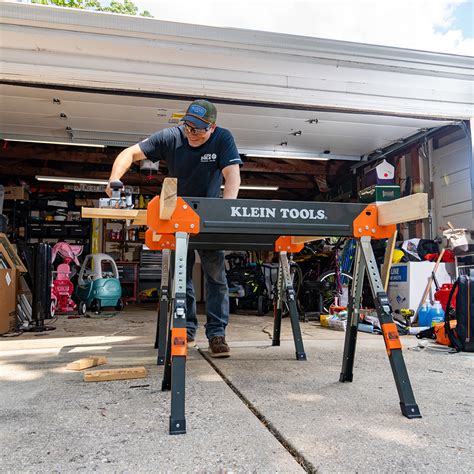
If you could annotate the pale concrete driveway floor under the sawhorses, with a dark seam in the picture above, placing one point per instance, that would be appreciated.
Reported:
(51, 420)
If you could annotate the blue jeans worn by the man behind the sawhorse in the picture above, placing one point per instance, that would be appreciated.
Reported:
(217, 293)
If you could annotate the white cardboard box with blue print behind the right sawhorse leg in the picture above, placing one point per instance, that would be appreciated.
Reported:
(408, 282)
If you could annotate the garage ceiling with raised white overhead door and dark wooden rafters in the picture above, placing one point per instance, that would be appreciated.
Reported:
(86, 117)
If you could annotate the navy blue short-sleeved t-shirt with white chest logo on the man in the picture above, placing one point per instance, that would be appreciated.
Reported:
(198, 169)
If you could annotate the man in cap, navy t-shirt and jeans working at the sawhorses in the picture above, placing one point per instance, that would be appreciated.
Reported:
(199, 154)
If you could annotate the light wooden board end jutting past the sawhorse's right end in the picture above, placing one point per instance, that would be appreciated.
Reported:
(405, 209)
